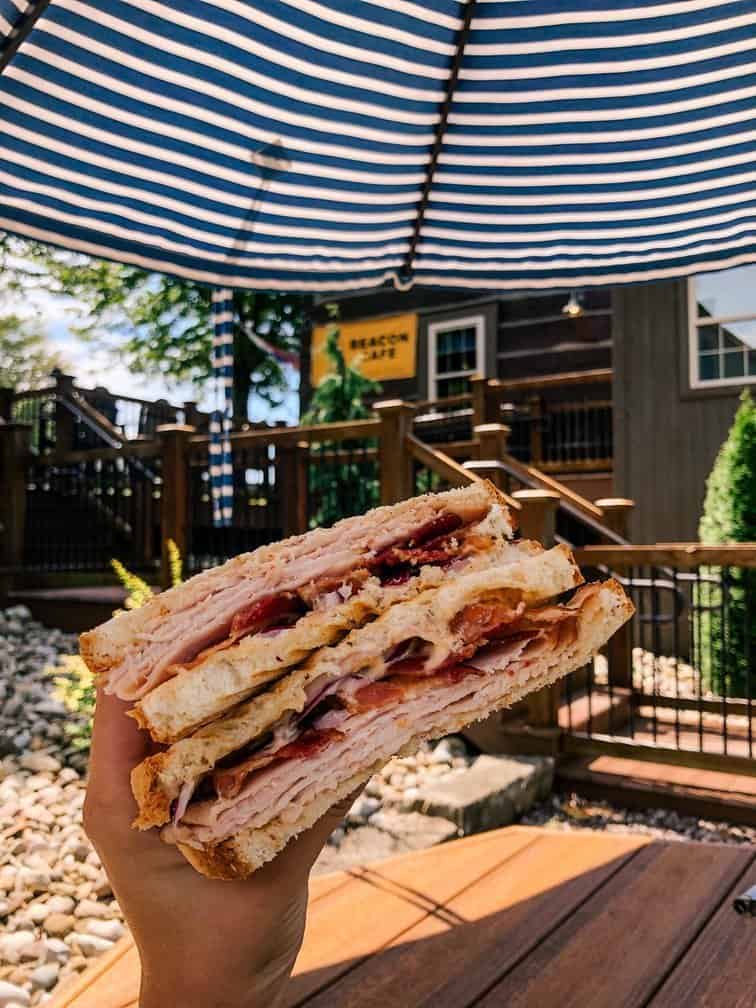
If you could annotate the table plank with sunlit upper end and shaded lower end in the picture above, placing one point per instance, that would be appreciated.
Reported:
(449, 960)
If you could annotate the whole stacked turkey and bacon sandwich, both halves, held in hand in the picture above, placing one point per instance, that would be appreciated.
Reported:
(284, 680)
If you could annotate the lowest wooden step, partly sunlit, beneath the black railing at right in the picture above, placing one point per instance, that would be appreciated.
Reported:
(643, 785)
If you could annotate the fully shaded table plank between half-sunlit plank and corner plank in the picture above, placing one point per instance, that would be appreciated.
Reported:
(613, 951)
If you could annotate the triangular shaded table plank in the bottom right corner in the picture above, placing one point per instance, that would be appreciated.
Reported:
(719, 971)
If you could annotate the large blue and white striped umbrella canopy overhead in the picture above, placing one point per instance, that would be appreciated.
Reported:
(298, 145)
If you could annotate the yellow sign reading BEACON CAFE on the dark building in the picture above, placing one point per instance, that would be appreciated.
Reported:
(382, 349)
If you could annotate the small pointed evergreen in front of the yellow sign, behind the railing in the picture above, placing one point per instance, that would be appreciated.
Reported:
(343, 476)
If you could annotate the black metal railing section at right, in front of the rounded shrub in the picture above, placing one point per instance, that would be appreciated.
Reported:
(689, 682)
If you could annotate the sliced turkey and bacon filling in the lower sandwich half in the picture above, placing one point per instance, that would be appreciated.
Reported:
(363, 722)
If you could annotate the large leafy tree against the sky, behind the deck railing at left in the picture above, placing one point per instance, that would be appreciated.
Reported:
(160, 324)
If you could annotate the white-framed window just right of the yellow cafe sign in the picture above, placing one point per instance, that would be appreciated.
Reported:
(456, 353)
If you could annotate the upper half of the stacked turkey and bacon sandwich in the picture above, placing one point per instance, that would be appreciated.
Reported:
(195, 651)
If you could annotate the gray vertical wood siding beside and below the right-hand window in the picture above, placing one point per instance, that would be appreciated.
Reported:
(667, 437)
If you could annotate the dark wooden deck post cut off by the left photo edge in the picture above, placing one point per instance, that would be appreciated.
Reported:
(16, 448)
